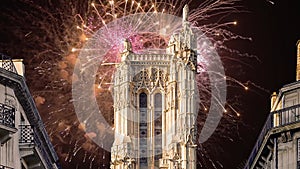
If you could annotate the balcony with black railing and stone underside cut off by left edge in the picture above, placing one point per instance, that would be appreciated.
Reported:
(7, 122)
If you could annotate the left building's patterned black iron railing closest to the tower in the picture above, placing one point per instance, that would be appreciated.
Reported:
(29, 136)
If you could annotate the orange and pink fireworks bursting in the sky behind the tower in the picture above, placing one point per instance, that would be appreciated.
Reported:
(51, 35)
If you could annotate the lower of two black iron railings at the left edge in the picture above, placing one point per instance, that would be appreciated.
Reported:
(7, 115)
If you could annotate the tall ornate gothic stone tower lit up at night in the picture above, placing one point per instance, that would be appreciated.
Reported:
(155, 106)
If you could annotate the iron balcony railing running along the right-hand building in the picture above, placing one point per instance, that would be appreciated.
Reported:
(275, 119)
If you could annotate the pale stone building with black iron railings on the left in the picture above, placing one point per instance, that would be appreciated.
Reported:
(24, 143)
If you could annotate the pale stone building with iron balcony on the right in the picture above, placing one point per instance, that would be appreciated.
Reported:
(278, 145)
